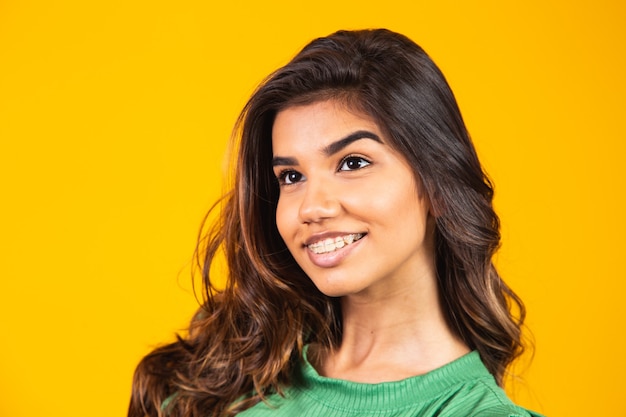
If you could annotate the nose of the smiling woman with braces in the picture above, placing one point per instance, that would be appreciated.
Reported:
(319, 202)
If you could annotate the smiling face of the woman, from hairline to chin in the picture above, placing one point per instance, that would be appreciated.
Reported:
(350, 210)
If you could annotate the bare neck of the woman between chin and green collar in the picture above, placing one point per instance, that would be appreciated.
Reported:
(393, 336)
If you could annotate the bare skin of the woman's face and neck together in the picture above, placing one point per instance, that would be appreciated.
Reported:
(340, 179)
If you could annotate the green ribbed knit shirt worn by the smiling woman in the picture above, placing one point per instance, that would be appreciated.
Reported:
(463, 387)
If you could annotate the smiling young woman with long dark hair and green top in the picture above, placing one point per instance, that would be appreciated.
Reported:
(359, 239)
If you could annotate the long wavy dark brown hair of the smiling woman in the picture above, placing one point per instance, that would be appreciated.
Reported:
(248, 335)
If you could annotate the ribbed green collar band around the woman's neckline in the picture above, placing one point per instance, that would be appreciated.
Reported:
(397, 395)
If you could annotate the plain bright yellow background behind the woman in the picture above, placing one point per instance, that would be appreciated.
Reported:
(114, 117)
